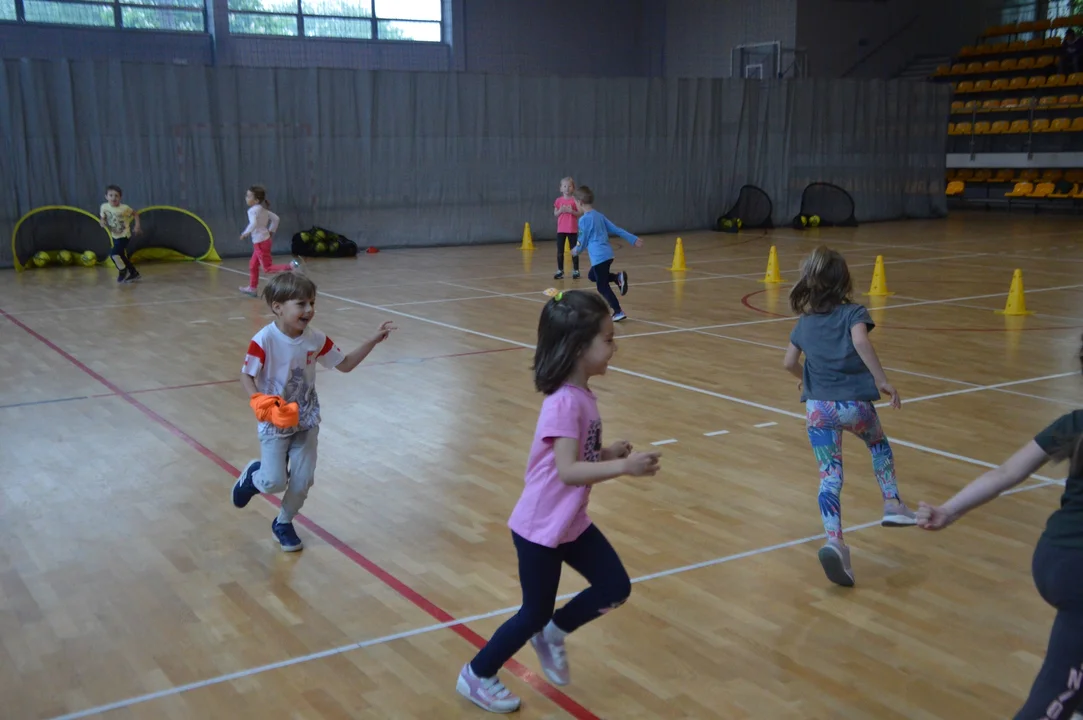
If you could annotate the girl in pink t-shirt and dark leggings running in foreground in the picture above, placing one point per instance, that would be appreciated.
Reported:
(550, 526)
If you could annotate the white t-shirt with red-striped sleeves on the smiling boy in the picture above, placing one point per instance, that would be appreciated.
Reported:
(286, 366)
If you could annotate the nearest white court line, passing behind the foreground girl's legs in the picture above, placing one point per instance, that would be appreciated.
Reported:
(465, 621)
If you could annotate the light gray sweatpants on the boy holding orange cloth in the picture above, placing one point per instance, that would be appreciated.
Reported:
(272, 477)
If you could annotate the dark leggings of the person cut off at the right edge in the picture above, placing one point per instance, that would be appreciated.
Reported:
(1058, 691)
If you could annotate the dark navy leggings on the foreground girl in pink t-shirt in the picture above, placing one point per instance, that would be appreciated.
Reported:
(591, 556)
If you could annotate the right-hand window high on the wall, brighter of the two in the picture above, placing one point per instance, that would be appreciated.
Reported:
(420, 21)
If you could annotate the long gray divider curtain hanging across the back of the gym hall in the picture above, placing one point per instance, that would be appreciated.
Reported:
(442, 159)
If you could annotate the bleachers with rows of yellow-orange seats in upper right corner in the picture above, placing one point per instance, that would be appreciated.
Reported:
(1012, 97)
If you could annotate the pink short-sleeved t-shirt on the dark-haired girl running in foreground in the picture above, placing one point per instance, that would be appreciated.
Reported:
(551, 513)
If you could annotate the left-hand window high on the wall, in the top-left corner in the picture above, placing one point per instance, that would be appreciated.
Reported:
(171, 16)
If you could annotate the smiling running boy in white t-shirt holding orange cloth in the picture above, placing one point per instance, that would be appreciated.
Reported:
(280, 376)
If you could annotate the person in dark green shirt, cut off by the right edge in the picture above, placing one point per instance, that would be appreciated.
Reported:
(1059, 558)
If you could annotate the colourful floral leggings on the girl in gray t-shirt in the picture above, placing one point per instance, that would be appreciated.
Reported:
(826, 422)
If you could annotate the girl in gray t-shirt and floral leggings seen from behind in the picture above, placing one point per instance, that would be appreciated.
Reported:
(841, 381)
